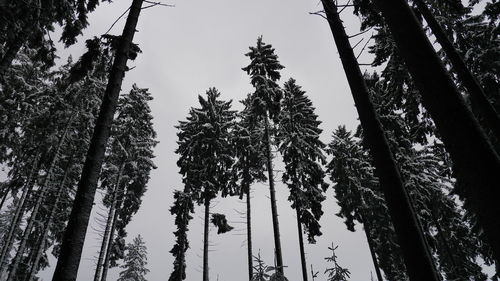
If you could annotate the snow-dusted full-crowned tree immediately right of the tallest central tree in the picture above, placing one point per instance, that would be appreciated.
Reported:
(302, 150)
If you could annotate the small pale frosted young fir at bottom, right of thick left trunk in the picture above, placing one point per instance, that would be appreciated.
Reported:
(135, 261)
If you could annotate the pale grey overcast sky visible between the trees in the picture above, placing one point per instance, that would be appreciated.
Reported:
(200, 44)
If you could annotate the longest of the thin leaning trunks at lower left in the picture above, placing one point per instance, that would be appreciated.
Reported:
(43, 190)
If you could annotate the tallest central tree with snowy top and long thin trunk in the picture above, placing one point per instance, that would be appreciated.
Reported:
(265, 103)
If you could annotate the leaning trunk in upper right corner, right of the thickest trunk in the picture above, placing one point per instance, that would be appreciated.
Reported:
(468, 80)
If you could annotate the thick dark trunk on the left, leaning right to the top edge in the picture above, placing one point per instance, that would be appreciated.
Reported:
(74, 236)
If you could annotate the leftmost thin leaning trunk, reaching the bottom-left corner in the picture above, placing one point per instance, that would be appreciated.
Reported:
(17, 219)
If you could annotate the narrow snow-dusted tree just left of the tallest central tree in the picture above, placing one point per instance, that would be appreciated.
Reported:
(249, 147)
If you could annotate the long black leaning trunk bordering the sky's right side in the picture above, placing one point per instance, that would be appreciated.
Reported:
(415, 250)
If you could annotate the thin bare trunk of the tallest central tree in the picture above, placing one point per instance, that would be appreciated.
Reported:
(274, 209)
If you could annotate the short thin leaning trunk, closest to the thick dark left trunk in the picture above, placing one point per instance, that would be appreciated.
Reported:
(41, 246)
